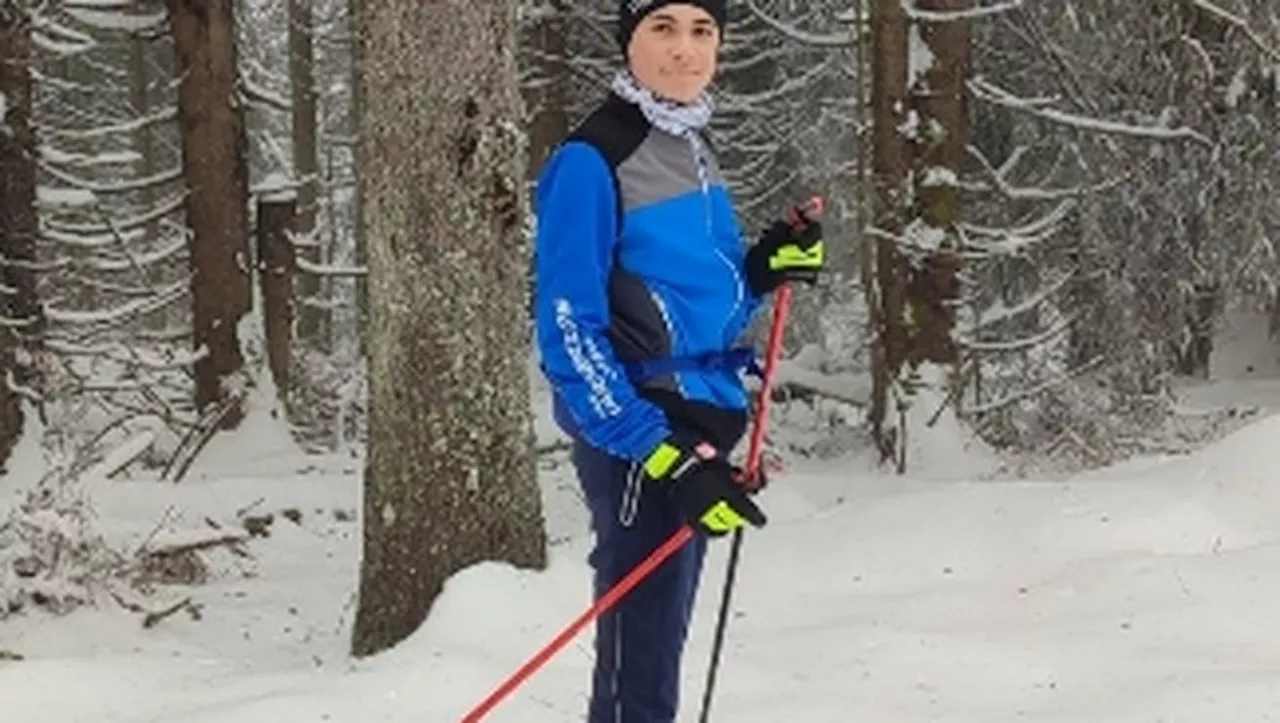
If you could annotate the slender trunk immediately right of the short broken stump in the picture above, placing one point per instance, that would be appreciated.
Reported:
(307, 167)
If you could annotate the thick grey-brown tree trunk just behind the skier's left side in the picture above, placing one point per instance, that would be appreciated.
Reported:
(450, 479)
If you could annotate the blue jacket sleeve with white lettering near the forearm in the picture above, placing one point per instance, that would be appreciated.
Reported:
(577, 236)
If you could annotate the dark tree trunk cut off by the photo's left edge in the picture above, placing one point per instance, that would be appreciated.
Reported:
(19, 223)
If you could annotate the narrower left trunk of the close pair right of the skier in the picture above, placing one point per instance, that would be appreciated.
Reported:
(890, 167)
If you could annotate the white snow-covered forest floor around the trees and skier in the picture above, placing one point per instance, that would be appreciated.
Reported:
(1139, 594)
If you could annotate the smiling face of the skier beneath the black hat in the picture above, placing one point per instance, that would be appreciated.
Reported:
(673, 52)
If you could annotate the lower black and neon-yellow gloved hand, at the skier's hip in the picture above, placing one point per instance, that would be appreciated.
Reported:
(702, 484)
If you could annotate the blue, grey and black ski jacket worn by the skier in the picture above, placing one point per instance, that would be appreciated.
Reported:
(641, 291)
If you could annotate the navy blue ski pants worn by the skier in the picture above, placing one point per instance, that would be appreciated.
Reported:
(639, 643)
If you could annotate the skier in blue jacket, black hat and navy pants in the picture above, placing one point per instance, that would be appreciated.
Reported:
(643, 287)
